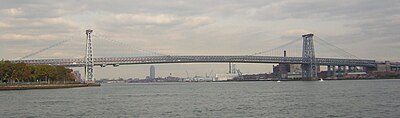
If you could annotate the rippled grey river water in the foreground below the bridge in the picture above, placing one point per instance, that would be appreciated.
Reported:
(350, 98)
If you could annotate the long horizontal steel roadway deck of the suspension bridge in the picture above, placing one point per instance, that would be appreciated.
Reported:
(116, 61)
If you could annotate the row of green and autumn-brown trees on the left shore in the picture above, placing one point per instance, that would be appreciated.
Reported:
(22, 72)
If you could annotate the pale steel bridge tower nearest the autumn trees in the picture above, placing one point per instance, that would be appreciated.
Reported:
(89, 57)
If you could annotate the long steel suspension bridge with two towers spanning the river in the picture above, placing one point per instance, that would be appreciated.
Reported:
(308, 60)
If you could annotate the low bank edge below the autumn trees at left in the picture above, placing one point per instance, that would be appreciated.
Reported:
(43, 86)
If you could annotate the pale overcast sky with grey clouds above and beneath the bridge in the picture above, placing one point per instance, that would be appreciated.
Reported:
(365, 28)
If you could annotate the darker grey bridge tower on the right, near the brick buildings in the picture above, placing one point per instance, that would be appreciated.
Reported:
(309, 69)
